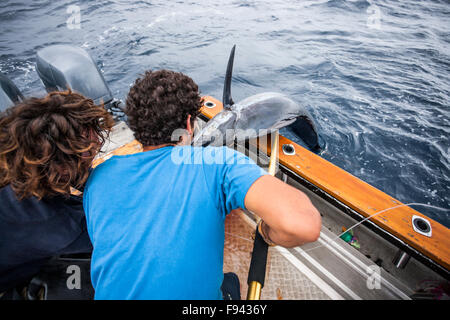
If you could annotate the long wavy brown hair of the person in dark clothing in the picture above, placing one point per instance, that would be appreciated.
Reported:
(47, 145)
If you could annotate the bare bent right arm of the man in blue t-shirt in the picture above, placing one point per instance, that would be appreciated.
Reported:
(290, 216)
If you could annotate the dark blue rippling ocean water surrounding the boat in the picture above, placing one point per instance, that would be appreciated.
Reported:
(375, 75)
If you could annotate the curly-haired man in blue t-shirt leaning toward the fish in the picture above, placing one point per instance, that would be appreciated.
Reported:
(156, 218)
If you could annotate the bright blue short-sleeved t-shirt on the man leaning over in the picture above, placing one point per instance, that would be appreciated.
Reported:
(156, 221)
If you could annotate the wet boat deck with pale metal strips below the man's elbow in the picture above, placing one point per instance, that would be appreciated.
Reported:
(321, 270)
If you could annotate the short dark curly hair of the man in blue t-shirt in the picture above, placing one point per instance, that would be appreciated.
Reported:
(159, 103)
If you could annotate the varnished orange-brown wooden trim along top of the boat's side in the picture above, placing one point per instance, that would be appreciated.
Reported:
(359, 196)
